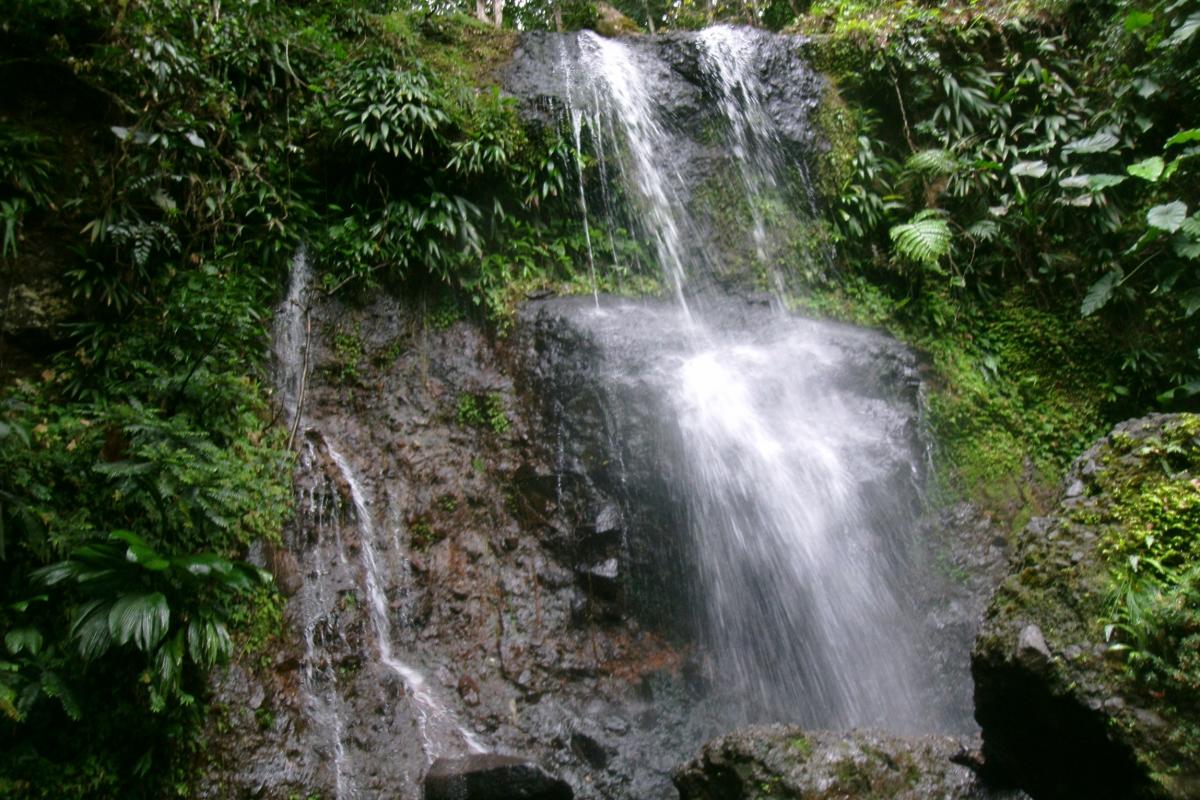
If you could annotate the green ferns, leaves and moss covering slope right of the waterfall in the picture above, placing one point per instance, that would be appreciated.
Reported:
(1022, 220)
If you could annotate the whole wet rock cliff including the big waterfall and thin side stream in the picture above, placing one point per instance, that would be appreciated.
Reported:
(713, 521)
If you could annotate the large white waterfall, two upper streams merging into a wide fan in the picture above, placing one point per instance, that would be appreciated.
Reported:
(799, 488)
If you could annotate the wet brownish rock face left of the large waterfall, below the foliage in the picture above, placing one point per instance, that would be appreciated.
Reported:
(503, 581)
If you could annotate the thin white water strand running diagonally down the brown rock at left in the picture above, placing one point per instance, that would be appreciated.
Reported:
(434, 718)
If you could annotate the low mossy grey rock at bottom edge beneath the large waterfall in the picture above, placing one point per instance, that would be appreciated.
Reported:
(788, 762)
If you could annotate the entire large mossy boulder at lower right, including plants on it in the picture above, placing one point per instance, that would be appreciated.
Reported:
(1088, 665)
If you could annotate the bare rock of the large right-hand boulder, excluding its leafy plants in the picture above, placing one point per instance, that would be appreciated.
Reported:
(1061, 713)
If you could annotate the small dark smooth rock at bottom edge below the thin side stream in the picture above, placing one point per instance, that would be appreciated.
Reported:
(490, 777)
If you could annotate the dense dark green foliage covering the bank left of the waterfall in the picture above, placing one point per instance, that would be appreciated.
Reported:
(184, 157)
